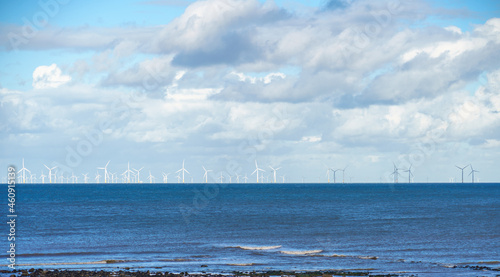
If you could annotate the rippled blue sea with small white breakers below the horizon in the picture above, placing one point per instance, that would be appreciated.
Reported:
(420, 229)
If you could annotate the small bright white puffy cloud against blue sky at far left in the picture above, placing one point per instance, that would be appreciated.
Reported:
(49, 77)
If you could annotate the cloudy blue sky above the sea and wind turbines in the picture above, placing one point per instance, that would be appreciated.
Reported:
(304, 85)
